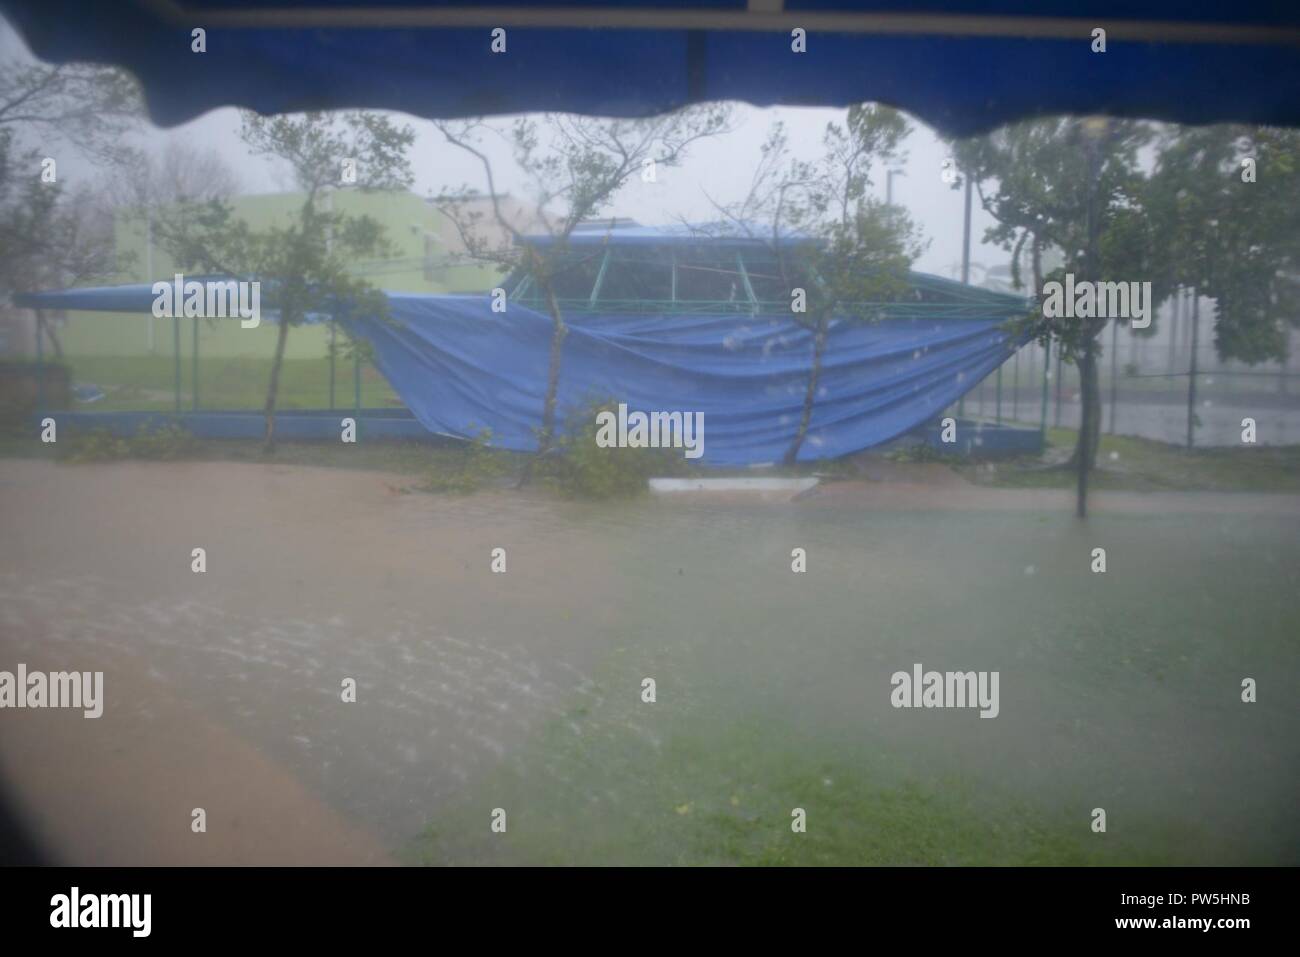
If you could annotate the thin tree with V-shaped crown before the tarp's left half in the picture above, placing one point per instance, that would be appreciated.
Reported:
(573, 168)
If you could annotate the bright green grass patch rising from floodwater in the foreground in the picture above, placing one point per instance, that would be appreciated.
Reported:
(731, 803)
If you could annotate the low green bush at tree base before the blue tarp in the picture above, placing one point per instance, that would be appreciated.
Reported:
(584, 470)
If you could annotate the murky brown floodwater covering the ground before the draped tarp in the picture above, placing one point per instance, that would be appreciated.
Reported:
(223, 690)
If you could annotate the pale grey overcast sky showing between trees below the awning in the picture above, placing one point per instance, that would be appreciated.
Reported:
(721, 168)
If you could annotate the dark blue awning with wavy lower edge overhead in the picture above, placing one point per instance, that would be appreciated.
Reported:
(961, 66)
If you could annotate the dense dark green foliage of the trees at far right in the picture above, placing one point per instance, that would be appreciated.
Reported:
(1193, 223)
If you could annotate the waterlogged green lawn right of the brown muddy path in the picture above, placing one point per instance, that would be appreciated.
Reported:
(1120, 691)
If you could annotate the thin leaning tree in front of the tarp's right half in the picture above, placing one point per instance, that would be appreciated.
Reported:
(847, 253)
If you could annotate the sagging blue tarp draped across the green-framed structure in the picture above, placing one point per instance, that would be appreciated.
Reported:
(463, 369)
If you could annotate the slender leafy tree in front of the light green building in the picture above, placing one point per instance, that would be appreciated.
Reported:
(305, 265)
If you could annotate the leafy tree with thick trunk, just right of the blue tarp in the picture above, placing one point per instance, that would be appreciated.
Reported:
(1074, 184)
